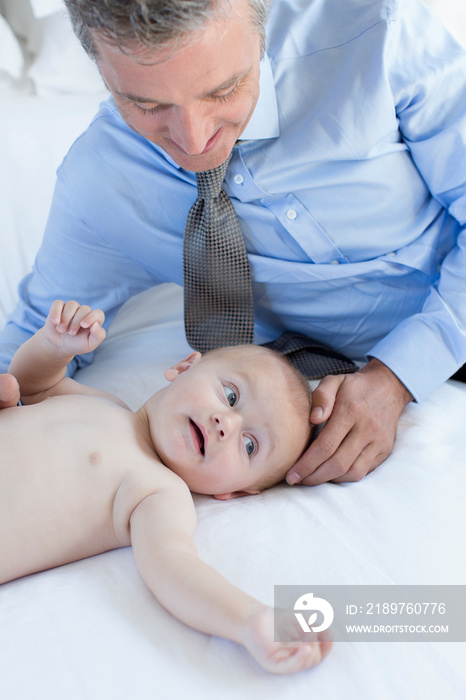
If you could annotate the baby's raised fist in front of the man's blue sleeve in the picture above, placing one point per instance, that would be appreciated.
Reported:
(74, 329)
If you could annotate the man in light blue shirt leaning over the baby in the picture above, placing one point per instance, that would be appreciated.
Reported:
(349, 184)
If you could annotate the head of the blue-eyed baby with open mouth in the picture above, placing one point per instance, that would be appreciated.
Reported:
(233, 421)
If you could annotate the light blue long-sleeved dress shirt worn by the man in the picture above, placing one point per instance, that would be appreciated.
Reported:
(350, 187)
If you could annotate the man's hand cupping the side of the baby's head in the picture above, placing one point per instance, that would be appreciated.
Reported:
(362, 412)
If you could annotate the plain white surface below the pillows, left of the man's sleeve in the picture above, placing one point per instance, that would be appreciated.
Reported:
(35, 134)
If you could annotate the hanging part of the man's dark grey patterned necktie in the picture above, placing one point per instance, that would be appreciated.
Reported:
(218, 303)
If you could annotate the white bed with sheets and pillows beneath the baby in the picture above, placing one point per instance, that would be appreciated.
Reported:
(91, 630)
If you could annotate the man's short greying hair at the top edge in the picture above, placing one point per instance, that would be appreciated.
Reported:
(153, 24)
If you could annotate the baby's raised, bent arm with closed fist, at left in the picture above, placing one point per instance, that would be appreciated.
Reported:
(40, 363)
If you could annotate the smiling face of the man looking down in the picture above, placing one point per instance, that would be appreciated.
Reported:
(194, 102)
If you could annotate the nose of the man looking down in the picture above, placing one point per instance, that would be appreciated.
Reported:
(191, 127)
